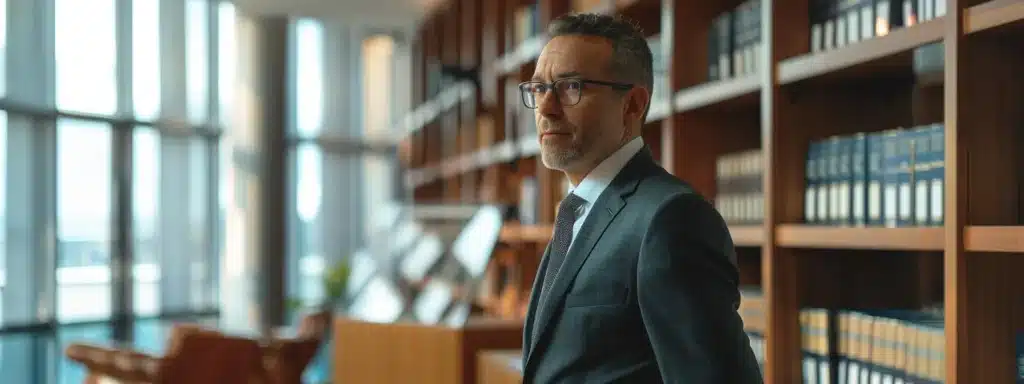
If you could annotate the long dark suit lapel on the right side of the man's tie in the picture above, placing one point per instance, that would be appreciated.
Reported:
(601, 217)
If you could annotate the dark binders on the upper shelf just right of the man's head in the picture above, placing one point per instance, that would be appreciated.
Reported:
(735, 42)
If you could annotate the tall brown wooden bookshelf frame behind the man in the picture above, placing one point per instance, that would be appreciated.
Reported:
(970, 263)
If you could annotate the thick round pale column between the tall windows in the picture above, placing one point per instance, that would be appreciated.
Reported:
(253, 270)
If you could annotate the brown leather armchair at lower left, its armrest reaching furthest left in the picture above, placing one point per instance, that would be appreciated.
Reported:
(194, 356)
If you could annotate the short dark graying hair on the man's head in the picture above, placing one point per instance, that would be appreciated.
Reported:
(631, 58)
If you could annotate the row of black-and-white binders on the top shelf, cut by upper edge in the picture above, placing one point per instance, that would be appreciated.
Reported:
(838, 23)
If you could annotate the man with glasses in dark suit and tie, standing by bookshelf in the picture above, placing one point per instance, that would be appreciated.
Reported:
(639, 282)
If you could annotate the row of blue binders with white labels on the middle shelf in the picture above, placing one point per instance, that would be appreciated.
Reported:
(890, 179)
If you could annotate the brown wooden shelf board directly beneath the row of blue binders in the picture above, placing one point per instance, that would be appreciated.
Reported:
(909, 239)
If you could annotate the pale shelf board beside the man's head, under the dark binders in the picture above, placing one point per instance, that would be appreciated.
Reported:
(740, 91)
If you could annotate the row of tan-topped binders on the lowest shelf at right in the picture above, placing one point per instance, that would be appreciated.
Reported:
(873, 347)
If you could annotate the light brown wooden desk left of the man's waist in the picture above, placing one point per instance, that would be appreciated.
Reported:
(371, 353)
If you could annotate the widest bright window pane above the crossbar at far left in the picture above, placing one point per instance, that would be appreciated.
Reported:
(87, 56)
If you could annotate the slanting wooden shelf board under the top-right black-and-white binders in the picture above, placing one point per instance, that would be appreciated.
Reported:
(881, 56)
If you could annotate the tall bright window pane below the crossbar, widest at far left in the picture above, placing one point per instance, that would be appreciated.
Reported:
(84, 183)
